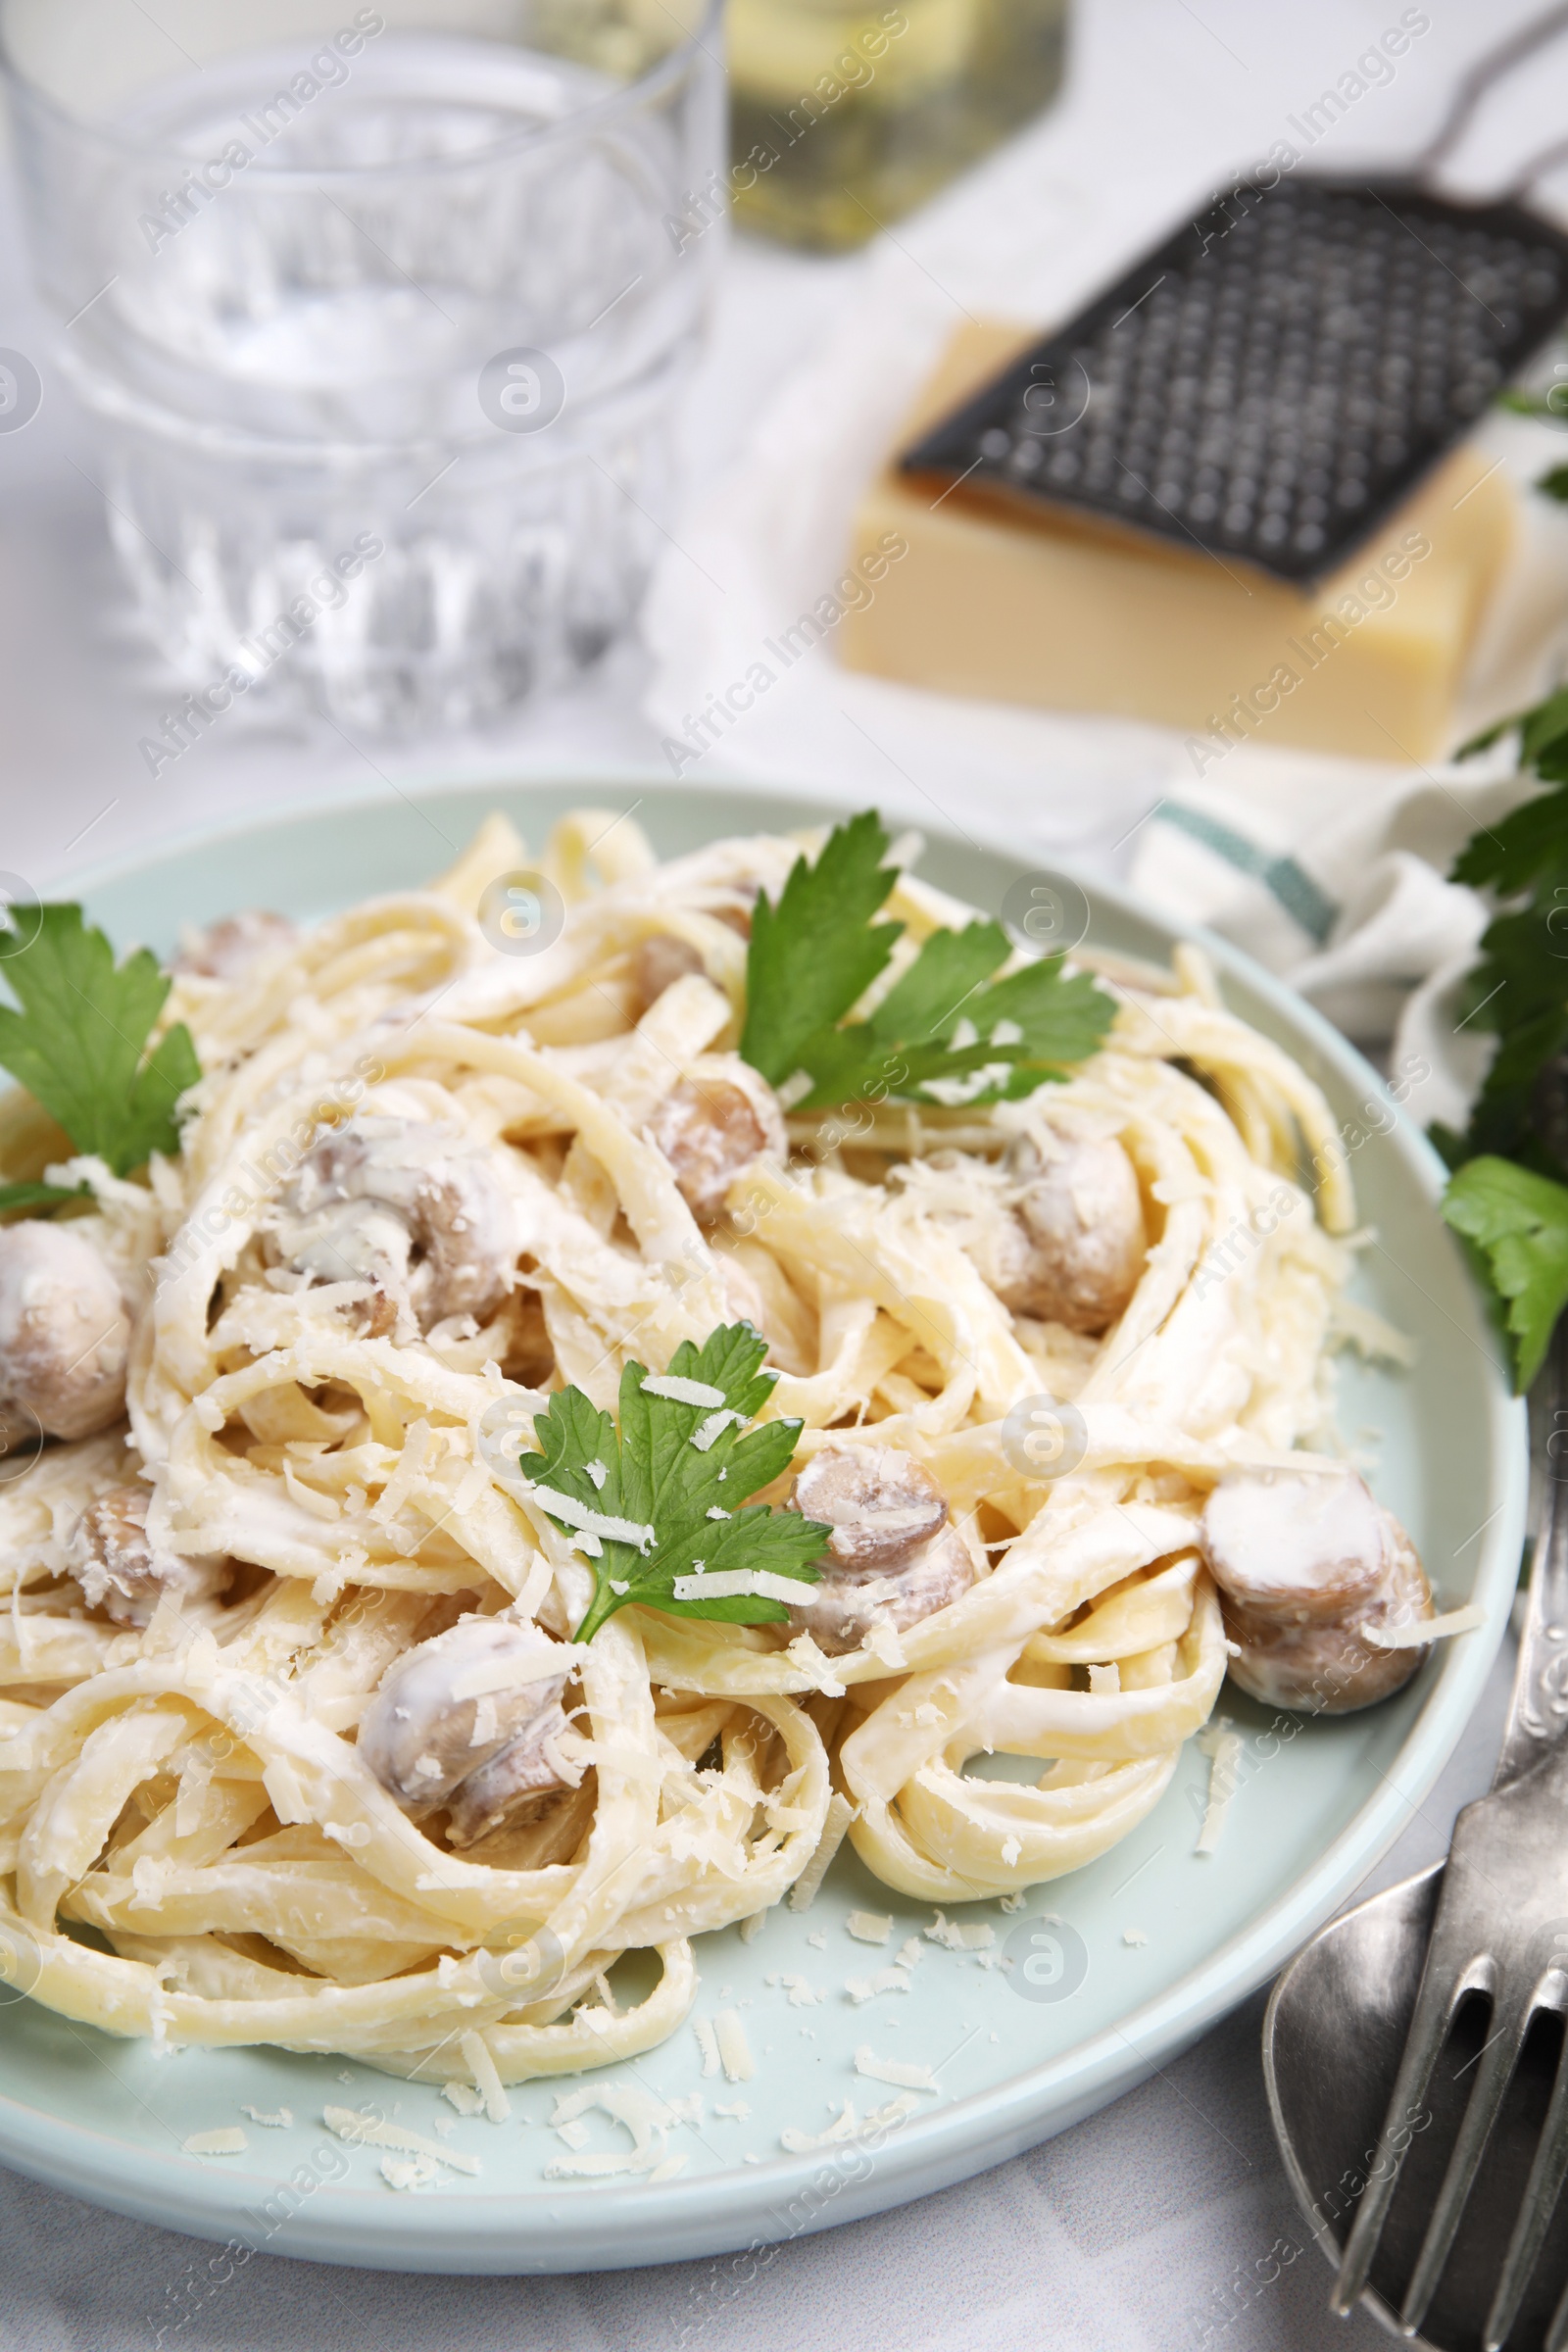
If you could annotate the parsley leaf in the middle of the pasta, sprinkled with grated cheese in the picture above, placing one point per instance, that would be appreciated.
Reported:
(685, 1495)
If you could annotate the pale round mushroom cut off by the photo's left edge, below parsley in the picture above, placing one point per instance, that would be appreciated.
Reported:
(65, 1332)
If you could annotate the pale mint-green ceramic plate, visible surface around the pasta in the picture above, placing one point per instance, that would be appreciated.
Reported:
(107, 2118)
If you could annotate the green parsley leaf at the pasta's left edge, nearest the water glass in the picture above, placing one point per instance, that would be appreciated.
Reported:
(79, 1036)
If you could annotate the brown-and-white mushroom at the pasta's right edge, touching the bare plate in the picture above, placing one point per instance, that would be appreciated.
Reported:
(1308, 1563)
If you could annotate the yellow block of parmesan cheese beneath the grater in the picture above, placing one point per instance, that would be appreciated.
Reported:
(1083, 617)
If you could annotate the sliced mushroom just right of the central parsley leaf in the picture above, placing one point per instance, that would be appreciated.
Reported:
(892, 1556)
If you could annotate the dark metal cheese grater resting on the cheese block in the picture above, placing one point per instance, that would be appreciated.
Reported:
(1278, 375)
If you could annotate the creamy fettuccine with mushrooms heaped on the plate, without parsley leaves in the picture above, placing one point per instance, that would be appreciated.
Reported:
(297, 1737)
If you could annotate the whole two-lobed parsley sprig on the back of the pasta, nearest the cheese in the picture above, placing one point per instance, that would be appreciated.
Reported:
(946, 1034)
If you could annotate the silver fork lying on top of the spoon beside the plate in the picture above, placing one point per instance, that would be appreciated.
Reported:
(1499, 1930)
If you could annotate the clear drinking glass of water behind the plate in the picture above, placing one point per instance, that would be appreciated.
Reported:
(382, 314)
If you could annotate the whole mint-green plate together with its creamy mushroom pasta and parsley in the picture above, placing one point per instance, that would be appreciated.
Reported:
(704, 1518)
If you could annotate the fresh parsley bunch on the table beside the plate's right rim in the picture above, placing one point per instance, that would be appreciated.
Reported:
(1506, 1196)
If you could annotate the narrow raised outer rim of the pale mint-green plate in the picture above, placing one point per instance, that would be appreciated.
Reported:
(476, 2231)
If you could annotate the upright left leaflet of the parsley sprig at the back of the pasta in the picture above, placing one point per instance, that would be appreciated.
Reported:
(819, 949)
